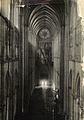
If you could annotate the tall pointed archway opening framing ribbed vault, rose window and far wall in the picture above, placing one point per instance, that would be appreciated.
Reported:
(44, 36)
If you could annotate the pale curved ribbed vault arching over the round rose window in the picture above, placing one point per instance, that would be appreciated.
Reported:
(44, 16)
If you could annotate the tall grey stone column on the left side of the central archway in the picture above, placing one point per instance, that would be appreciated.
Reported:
(21, 60)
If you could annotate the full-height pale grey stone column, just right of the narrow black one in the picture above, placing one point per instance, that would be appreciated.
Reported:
(66, 60)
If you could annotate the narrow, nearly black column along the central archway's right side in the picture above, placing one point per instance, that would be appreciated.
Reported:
(62, 70)
